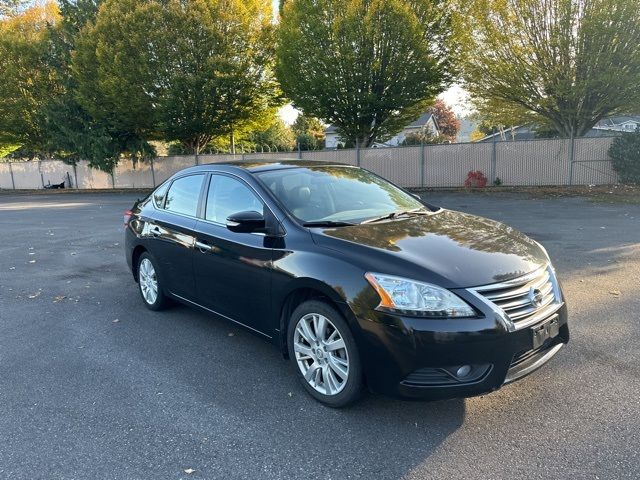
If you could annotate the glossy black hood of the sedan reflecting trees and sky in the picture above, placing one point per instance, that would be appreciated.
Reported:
(448, 248)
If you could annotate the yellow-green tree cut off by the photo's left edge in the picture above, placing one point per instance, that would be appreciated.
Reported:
(26, 82)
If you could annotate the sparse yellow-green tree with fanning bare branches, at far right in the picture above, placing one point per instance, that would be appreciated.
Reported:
(564, 64)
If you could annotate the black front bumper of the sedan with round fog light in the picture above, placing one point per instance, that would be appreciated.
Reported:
(418, 358)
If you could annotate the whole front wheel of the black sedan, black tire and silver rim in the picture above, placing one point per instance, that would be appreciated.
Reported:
(327, 363)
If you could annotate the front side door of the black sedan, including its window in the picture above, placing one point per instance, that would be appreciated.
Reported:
(233, 270)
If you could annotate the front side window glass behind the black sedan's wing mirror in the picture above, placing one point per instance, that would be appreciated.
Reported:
(227, 196)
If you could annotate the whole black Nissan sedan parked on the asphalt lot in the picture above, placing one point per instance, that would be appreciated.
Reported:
(357, 281)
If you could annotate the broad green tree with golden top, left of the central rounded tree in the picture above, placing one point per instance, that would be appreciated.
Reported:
(180, 71)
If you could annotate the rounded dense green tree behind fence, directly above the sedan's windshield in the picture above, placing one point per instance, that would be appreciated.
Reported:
(367, 66)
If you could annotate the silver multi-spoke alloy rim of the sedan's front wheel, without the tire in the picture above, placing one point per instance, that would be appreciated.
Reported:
(321, 354)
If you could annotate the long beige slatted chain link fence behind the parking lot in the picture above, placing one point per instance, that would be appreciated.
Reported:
(581, 161)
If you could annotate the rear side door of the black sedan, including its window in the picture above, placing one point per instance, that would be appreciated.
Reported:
(170, 233)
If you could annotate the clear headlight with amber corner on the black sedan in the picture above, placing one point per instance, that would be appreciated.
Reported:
(408, 296)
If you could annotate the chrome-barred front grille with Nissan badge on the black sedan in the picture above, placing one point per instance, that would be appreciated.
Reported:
(524, 297)
